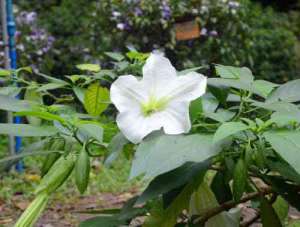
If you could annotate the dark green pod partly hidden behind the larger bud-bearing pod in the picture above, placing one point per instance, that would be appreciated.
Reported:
(50, 159)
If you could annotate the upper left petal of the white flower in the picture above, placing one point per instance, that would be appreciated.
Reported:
(127, 93)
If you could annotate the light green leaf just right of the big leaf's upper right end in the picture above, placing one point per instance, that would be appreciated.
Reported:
(228, 129)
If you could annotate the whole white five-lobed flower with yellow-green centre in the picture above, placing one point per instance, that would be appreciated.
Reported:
(159, 100)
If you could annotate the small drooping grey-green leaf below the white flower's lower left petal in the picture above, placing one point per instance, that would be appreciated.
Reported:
(115, 147)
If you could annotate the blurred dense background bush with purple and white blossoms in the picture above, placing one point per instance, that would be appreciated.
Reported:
(238, 33)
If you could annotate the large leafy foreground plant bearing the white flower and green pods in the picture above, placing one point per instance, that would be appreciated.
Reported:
(207, 139)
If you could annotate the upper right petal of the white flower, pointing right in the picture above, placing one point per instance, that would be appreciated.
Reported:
(187, 87)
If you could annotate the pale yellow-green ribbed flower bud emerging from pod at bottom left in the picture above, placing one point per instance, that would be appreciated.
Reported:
(33, 211)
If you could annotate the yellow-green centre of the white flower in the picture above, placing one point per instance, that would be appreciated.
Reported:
(153, 105)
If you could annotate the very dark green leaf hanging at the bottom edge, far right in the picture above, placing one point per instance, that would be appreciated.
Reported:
(268, 214)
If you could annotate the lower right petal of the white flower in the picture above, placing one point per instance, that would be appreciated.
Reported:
(176, 119)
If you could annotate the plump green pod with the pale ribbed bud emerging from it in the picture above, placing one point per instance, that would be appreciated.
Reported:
(57, 175)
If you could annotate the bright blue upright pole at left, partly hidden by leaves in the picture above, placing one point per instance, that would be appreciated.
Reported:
(11, 30)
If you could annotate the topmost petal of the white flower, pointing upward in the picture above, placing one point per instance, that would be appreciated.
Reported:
(158, 72)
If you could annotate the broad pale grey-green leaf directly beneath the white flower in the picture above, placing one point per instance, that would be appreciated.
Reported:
(161, 153)
